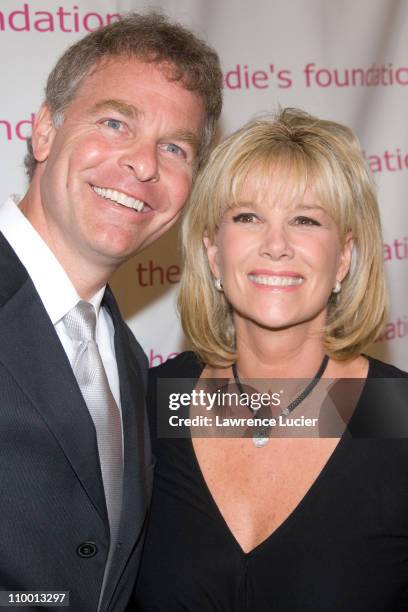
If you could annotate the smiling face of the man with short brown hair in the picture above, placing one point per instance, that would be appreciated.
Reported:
(117, 172)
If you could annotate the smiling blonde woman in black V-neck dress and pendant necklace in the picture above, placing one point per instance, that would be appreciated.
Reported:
(283, 279)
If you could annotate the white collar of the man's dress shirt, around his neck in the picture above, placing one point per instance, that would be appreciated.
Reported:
(52, 283)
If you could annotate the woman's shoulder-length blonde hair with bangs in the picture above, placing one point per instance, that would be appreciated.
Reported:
(301, 151)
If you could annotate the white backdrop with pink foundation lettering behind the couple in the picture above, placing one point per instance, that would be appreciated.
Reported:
(338, 59)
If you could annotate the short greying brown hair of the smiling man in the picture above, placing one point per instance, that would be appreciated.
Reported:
(151, 38)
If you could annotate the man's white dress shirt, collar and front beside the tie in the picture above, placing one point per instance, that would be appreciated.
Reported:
(55, 289)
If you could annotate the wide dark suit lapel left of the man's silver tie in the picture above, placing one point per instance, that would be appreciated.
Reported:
(31, 351)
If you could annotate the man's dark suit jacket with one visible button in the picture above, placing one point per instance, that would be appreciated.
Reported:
(52, 499)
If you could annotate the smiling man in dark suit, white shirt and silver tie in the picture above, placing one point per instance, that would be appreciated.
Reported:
(129, 114)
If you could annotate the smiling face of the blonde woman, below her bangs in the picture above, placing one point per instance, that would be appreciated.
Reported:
(278, 259)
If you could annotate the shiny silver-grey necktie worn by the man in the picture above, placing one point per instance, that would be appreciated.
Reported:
(88, 368)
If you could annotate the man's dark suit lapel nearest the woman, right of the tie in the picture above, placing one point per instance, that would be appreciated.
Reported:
(136, 445)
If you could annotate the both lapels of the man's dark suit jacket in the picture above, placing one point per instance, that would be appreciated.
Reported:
(31, 351)
